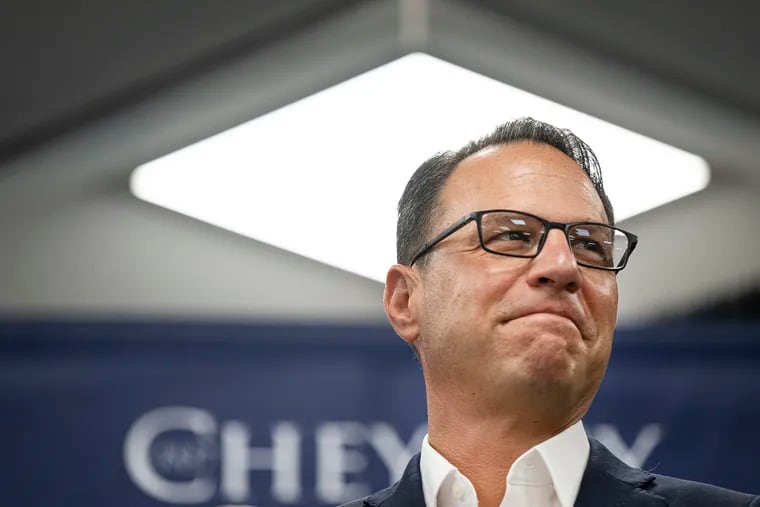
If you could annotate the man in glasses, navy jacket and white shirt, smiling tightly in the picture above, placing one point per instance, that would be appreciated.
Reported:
(506, 289)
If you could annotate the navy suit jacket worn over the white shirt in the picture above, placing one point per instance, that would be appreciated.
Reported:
(607, 482)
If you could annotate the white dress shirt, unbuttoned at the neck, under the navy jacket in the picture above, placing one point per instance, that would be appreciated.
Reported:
(547, 475)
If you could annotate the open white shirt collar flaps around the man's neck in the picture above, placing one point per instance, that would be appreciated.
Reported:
(563, 456)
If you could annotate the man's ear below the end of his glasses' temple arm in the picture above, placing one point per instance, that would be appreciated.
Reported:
(400, 285)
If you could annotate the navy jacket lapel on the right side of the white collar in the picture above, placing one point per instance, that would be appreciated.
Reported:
(608, 481)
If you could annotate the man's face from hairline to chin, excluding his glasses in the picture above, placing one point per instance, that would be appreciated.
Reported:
(501, 328)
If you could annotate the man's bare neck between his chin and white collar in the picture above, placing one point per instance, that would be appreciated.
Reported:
(483, 444)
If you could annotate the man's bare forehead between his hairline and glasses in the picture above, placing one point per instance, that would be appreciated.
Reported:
(523, 176)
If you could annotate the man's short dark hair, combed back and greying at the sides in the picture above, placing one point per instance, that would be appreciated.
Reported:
(419, 204)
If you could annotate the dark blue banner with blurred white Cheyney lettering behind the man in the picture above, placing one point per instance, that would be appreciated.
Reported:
(148, 415)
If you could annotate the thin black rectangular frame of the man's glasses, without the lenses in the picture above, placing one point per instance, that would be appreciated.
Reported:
(548, 226)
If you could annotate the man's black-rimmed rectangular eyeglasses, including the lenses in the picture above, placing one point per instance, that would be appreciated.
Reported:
(518, 234)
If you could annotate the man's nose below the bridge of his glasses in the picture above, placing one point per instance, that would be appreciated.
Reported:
(555, 266)
